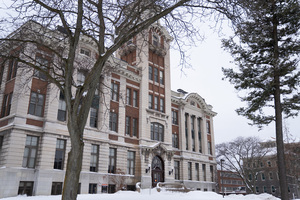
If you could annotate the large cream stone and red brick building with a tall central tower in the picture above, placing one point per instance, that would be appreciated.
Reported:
(167, 139)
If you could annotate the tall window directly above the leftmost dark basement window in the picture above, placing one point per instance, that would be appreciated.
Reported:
(30, 151)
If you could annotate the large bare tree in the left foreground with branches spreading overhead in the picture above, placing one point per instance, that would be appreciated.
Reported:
(104, 24)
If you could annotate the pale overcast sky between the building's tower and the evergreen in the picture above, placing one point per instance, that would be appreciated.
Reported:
(205, 79)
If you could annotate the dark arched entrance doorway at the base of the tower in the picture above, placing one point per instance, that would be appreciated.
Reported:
(157, 170)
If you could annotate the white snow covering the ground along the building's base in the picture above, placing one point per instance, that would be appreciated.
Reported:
(153, 195)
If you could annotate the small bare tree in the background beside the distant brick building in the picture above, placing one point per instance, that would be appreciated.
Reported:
(243, 156)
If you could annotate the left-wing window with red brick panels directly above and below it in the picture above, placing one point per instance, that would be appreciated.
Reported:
(36, 105)
